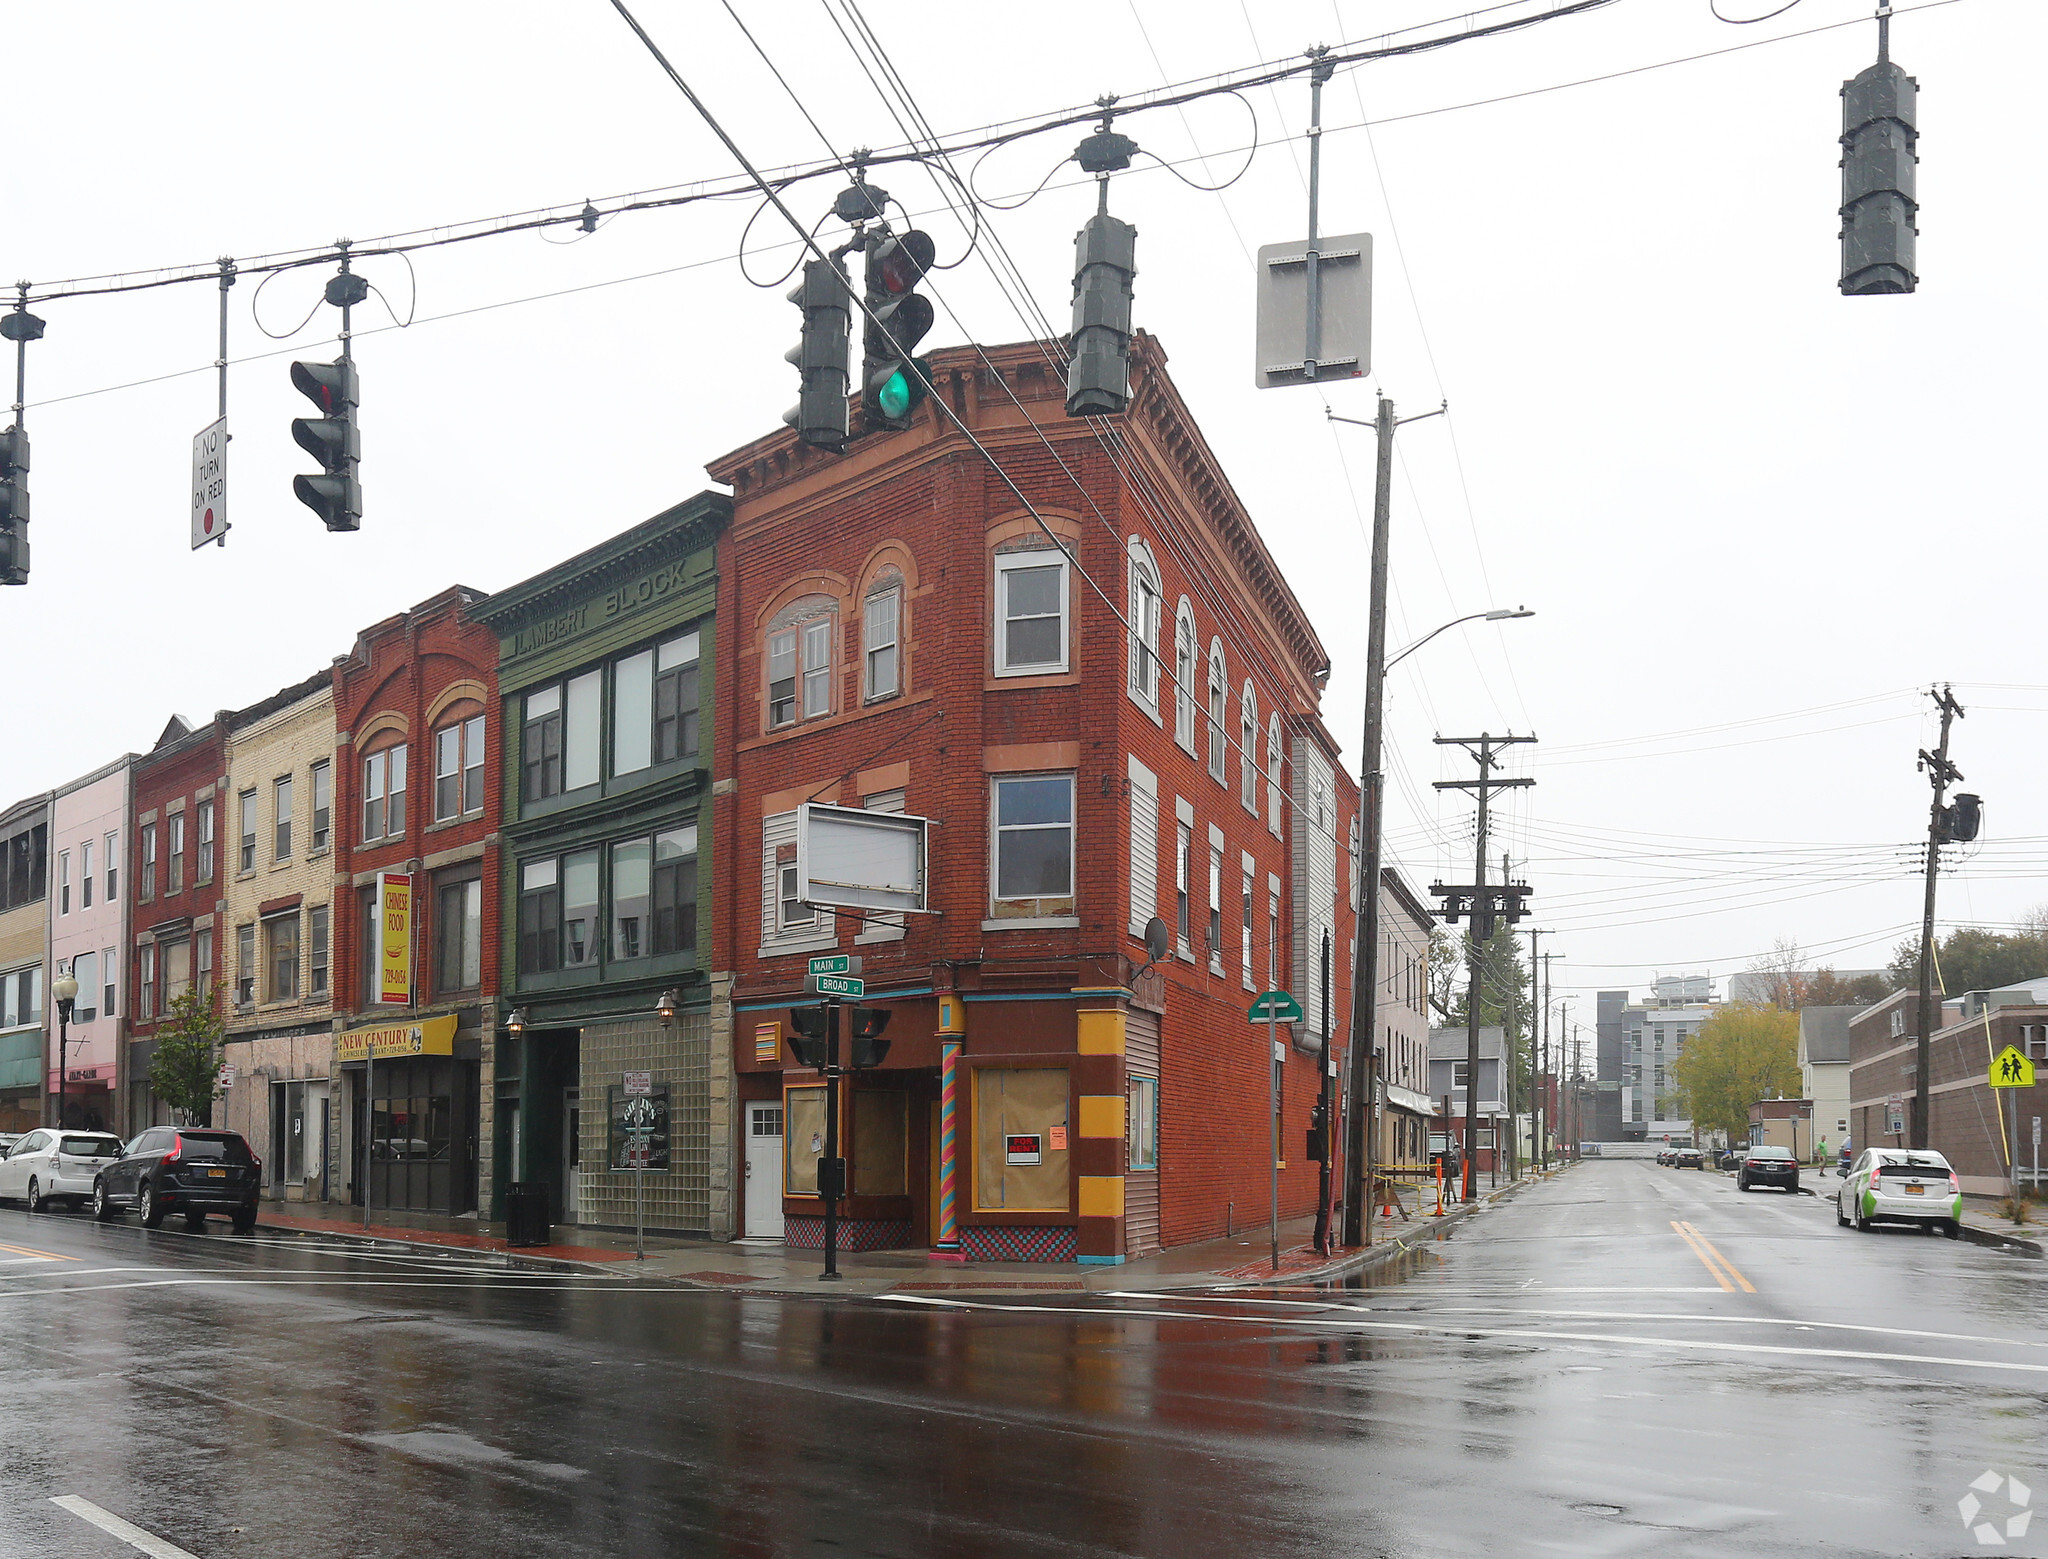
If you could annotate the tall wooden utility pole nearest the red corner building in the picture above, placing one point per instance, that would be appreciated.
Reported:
(1361, 1089)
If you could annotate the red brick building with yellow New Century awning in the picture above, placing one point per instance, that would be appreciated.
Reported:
(419, 792)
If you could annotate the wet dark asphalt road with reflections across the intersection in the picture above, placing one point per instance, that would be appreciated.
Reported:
(1621, 1361)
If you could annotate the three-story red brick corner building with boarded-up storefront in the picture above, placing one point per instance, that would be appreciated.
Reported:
(900, 634)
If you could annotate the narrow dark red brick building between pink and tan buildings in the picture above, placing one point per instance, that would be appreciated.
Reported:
(177, 894)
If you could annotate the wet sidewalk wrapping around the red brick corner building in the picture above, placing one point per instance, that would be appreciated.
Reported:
(775, 1269)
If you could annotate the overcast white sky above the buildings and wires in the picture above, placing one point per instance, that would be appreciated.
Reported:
(1756, 519)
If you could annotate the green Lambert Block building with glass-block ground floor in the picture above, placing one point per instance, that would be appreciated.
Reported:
(605, 677)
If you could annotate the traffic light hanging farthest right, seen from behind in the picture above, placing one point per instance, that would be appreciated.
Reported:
(1879, 177)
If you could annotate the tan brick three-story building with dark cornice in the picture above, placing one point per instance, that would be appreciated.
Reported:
(278, 913)
